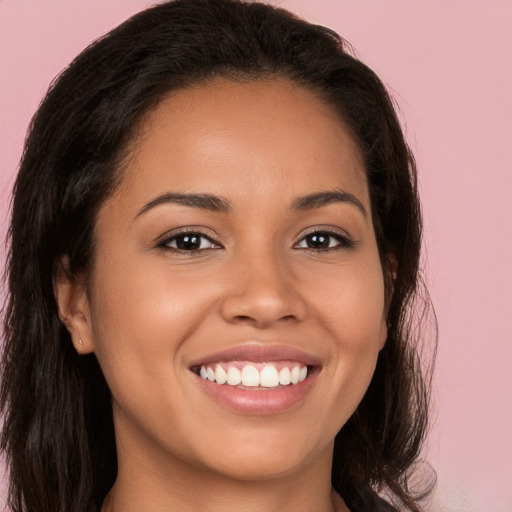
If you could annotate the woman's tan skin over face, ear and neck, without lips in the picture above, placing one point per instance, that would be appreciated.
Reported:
(148, 310)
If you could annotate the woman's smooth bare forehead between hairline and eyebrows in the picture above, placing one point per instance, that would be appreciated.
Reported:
(258, 138)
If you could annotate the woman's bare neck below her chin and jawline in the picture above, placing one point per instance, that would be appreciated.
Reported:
(154, 485)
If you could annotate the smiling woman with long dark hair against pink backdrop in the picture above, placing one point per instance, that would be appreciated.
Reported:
(214, 255)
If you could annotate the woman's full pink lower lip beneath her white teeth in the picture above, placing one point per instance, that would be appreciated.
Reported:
(258, 401)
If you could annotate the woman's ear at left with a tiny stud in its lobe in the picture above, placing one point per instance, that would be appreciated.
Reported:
(73, 304)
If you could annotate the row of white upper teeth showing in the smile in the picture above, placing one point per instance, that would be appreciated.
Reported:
(268, 377)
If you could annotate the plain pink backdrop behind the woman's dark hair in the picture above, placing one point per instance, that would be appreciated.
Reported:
(449, 66)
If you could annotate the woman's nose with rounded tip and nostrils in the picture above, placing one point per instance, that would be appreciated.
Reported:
(262, 293)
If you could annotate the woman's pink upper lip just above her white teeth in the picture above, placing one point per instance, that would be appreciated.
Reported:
(259, 353)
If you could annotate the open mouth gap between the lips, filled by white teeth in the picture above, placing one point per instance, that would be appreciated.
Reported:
(250, 375)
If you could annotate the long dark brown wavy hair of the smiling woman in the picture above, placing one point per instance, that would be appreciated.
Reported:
(58, 433)
